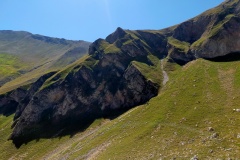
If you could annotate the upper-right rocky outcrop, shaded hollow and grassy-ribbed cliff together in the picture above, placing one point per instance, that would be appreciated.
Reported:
(212, 34)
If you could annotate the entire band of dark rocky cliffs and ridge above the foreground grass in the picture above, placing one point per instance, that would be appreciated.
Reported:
(116, 75)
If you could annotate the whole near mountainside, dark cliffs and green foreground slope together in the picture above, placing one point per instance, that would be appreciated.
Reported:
(194, 114)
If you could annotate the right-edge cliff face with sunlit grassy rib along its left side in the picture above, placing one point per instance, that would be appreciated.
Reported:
(223, 36)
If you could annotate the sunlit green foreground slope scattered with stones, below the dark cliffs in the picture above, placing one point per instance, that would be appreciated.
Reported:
(199, 95)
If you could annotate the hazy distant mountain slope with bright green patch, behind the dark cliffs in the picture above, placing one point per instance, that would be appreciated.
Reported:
(23, 52)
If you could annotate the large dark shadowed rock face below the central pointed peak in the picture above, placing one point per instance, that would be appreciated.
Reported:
(112, 85)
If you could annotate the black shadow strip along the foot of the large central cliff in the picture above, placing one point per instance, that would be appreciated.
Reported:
(65, 127)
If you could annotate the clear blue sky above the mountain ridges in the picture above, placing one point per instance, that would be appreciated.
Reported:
(92, 19)
